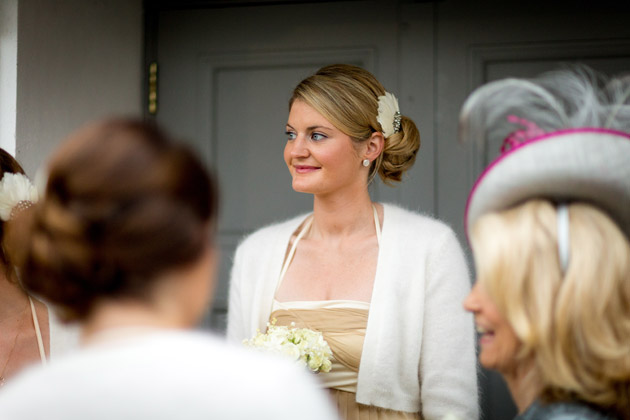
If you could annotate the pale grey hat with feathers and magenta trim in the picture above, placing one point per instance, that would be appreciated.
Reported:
(566, 137)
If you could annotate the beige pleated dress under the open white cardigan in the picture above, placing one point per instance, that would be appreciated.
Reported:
(343, 325)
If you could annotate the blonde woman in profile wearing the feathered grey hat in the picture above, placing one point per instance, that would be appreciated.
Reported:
(549, 225)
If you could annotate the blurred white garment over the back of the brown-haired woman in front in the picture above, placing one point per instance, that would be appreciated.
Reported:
(158, 376)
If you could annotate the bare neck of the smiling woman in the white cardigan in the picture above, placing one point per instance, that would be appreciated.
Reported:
(342, 215)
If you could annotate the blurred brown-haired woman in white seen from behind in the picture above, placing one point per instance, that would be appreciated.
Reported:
(123, 242)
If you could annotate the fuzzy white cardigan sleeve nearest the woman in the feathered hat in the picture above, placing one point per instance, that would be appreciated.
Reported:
(448, 367)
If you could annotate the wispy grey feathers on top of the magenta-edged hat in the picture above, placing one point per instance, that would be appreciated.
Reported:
(579, 97)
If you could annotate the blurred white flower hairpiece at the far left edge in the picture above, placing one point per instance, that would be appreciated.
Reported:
(16, 194)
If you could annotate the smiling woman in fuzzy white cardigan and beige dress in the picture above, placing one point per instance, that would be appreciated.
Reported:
(381, 283)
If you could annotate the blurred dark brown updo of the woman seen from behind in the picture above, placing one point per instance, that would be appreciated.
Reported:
(123, 204)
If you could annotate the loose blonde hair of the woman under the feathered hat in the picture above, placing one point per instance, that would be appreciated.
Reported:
(575, 326)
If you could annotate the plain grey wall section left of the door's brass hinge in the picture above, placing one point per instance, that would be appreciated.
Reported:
(78, 60)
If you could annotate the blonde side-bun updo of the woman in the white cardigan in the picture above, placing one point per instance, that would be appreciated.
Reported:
(347, 96)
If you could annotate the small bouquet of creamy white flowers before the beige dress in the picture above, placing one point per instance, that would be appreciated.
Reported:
(305, 346)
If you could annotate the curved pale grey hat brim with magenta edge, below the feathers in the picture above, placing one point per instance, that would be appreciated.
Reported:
(585, 164)
